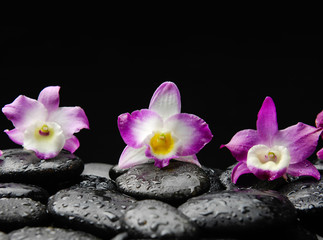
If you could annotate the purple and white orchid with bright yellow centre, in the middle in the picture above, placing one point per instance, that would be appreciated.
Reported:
(162, 132)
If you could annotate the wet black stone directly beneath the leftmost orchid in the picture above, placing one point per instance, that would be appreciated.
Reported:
(19, 165)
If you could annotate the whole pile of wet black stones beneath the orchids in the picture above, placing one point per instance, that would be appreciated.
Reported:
(62, 198)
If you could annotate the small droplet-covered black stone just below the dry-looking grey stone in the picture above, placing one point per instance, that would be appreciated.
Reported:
(95, 183)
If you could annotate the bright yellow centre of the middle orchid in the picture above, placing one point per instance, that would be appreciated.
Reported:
(162, 143)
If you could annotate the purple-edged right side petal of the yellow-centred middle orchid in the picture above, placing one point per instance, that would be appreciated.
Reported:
(193, 133)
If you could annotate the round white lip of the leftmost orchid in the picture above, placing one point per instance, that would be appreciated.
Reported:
(44, 146)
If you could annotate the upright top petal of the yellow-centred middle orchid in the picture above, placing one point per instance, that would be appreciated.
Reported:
(166, 100)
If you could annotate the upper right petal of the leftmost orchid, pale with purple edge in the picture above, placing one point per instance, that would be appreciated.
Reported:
(71, 119)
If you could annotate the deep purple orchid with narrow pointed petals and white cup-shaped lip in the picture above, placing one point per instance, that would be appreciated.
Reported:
(270, 153)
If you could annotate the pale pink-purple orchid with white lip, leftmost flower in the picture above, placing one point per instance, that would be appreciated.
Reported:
(44, 127)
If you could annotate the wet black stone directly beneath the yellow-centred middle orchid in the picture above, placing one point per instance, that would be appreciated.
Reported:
(174, 184)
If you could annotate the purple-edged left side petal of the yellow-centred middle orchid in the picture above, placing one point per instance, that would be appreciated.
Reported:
(135, 127)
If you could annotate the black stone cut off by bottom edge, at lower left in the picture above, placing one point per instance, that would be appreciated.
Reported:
(34, 233)
